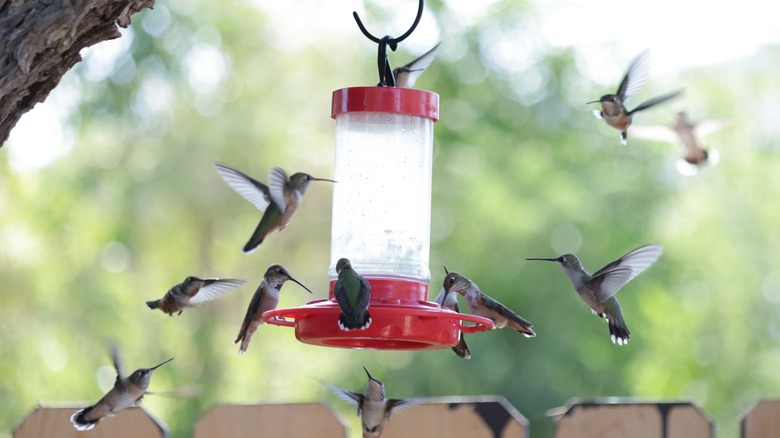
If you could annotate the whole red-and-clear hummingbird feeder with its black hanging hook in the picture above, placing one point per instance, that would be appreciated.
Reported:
(381, 219)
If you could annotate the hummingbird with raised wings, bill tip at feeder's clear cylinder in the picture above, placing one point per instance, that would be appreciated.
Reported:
(280, 199)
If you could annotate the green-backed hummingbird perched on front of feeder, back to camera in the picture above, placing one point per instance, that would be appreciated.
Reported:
(353, 294)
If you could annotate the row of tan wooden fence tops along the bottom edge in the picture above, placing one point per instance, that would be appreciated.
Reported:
(473, 417)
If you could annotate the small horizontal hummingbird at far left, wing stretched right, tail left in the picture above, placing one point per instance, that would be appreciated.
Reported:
(192, 291)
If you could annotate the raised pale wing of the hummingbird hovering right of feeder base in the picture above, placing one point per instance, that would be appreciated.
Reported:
(614, 276)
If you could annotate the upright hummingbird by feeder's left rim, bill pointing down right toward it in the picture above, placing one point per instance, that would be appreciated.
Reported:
(266, 298)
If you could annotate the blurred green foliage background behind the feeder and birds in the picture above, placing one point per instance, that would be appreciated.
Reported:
(521, 170)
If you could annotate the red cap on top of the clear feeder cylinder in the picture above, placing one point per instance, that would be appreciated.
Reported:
(386, 100)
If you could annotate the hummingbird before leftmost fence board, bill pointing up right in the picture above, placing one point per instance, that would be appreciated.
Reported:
(127, 392)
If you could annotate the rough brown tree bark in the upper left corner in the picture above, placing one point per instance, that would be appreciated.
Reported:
(40, 41)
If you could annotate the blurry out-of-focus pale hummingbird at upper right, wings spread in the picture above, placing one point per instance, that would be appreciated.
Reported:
(686, 134)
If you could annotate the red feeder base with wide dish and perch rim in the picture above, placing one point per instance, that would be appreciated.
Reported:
(401, 320)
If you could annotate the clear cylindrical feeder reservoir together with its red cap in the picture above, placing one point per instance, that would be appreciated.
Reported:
(382, 198)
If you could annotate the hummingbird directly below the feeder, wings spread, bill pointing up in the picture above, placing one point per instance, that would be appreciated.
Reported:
(373, 408)
